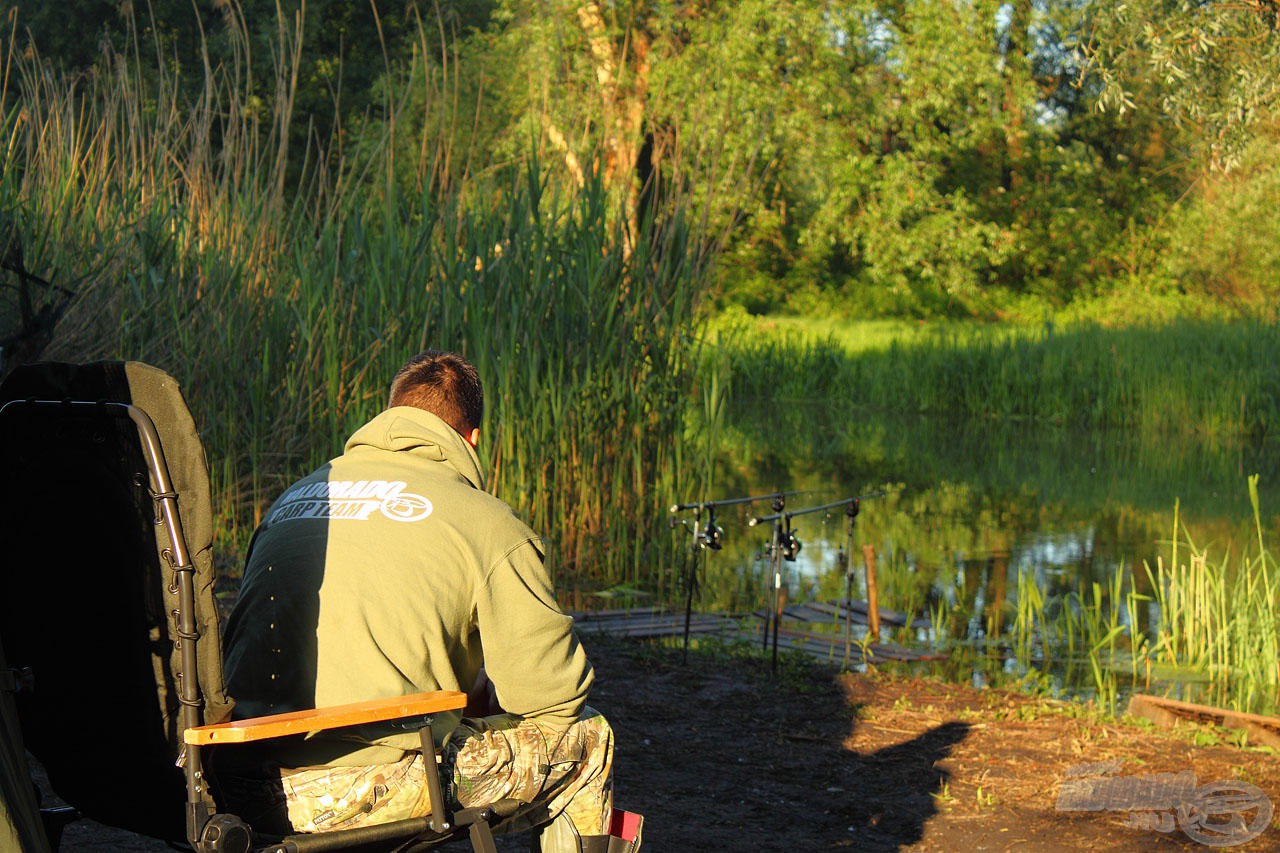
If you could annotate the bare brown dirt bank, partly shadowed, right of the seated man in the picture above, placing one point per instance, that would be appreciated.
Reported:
(720, 755)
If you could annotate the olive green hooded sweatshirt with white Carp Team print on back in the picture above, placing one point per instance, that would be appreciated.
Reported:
(391, 572)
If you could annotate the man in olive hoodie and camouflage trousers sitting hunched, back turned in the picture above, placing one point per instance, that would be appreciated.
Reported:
(391, 572)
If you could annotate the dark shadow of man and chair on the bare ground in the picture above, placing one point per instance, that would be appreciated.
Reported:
(720, 755)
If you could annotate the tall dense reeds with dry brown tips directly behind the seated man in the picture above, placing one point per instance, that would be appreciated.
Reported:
(284, 288)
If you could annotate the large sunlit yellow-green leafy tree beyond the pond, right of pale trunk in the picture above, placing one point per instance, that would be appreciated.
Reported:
(906, 142)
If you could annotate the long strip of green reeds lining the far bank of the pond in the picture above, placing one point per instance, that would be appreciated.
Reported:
(1213, 380)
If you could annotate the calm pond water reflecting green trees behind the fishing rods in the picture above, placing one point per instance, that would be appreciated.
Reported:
(979, 514)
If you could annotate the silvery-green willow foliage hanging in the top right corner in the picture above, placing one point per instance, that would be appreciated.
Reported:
(1208, 76)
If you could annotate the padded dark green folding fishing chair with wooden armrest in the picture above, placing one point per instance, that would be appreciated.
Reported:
(111, 627)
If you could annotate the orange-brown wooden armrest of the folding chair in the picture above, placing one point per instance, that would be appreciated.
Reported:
(322, 719)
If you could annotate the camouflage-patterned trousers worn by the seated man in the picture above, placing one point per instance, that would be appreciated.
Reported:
(538, 774)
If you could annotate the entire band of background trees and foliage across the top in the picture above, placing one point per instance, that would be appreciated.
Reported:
(971, 157)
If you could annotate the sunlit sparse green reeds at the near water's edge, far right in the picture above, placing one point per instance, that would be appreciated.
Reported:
(1217, 624)
